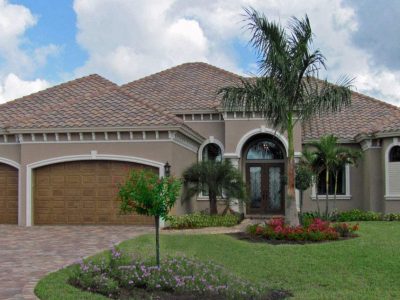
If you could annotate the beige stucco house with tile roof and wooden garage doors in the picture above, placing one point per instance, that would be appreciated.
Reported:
(63, 150)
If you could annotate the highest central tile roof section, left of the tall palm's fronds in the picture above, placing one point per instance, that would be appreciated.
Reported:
(187, 87)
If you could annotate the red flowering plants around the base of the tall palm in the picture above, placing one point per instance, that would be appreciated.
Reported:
(315, 230)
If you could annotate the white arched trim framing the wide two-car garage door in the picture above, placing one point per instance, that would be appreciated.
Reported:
(91, 156)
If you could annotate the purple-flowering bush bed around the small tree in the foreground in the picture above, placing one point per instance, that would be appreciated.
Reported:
(120, 275)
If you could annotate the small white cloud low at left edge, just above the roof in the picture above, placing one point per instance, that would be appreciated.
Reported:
(14, 87)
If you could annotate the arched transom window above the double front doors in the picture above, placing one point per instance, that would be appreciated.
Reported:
(265, 149)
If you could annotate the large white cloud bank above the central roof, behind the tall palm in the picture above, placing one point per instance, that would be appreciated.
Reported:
(126, 40)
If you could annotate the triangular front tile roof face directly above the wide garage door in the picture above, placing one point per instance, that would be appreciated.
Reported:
(112, 108)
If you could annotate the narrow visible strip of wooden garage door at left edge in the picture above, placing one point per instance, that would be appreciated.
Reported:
(8, 194)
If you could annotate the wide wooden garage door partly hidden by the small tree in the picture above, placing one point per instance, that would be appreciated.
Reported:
(82, 192)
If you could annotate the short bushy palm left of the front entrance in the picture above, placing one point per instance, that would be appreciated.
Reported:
(220, 177)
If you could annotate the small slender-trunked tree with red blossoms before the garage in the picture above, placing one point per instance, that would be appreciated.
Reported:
(147, 194)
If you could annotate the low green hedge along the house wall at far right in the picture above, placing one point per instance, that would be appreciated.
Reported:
(353, 215)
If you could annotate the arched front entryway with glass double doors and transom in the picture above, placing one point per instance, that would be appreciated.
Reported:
(264, 159)
